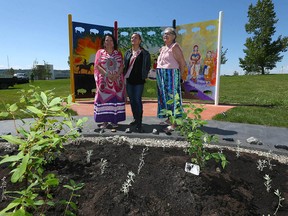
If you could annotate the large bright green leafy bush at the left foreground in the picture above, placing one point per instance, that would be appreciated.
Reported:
(39, 141)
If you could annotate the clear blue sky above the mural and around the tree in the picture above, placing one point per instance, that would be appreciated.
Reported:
(38, 29)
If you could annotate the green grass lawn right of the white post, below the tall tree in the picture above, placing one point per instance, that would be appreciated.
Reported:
(261, 99)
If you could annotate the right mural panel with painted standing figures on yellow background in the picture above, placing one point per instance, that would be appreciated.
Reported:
(199, 44)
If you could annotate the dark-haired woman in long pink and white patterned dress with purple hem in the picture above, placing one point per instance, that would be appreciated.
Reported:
(109, 103)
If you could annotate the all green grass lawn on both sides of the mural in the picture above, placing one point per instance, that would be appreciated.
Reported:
(259, 99)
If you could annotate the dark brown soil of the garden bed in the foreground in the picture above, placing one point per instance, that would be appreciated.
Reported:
(163, 187)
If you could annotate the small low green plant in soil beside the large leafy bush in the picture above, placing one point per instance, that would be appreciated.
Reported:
(70, 204)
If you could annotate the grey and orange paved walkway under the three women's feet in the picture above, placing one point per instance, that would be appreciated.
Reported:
(268, 138)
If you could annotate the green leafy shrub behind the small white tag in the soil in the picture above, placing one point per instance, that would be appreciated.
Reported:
(190, 128)
